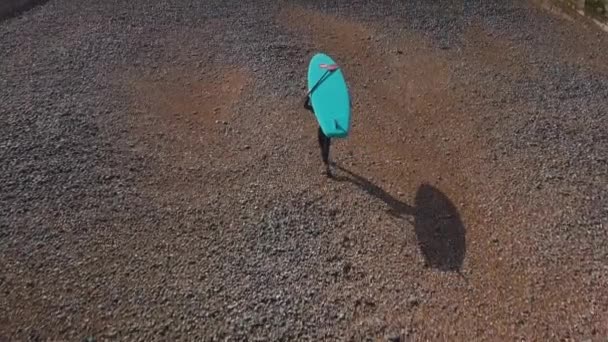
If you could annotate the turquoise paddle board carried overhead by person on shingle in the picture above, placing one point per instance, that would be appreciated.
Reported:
(329, 96)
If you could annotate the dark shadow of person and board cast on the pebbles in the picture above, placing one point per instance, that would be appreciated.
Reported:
(439, 230)
